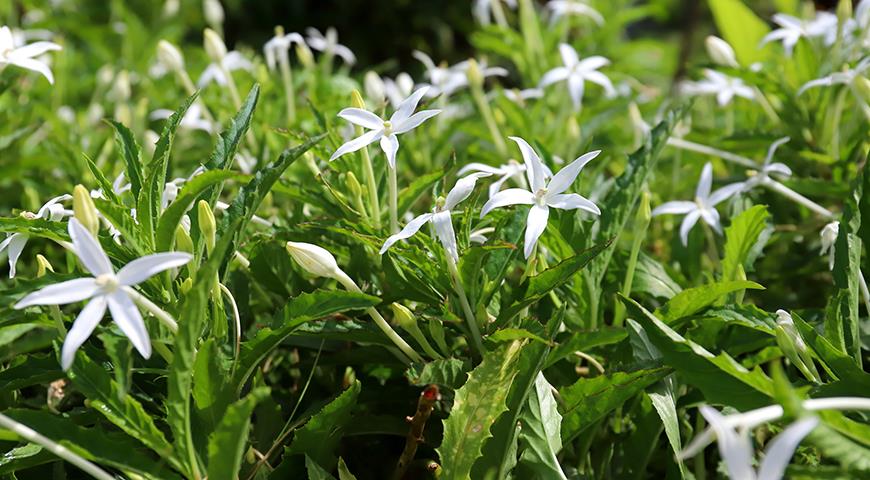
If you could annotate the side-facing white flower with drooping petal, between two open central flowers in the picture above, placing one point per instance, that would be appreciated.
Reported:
(440, 217)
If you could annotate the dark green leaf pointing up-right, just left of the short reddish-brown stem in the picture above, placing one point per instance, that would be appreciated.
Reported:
(319, 437)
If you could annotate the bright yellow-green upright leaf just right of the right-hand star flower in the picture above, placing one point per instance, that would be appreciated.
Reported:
(740, 238)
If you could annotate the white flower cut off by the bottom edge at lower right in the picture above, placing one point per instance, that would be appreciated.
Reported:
(735, 447)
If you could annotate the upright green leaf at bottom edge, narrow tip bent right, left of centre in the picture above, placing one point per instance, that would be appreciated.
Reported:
(226, 445)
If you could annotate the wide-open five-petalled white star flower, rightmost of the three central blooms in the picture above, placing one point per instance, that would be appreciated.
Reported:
(542, 194)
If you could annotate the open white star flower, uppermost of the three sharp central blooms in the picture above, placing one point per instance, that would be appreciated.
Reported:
(403, 120)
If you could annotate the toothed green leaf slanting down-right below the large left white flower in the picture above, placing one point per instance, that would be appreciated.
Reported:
(107, 398)
